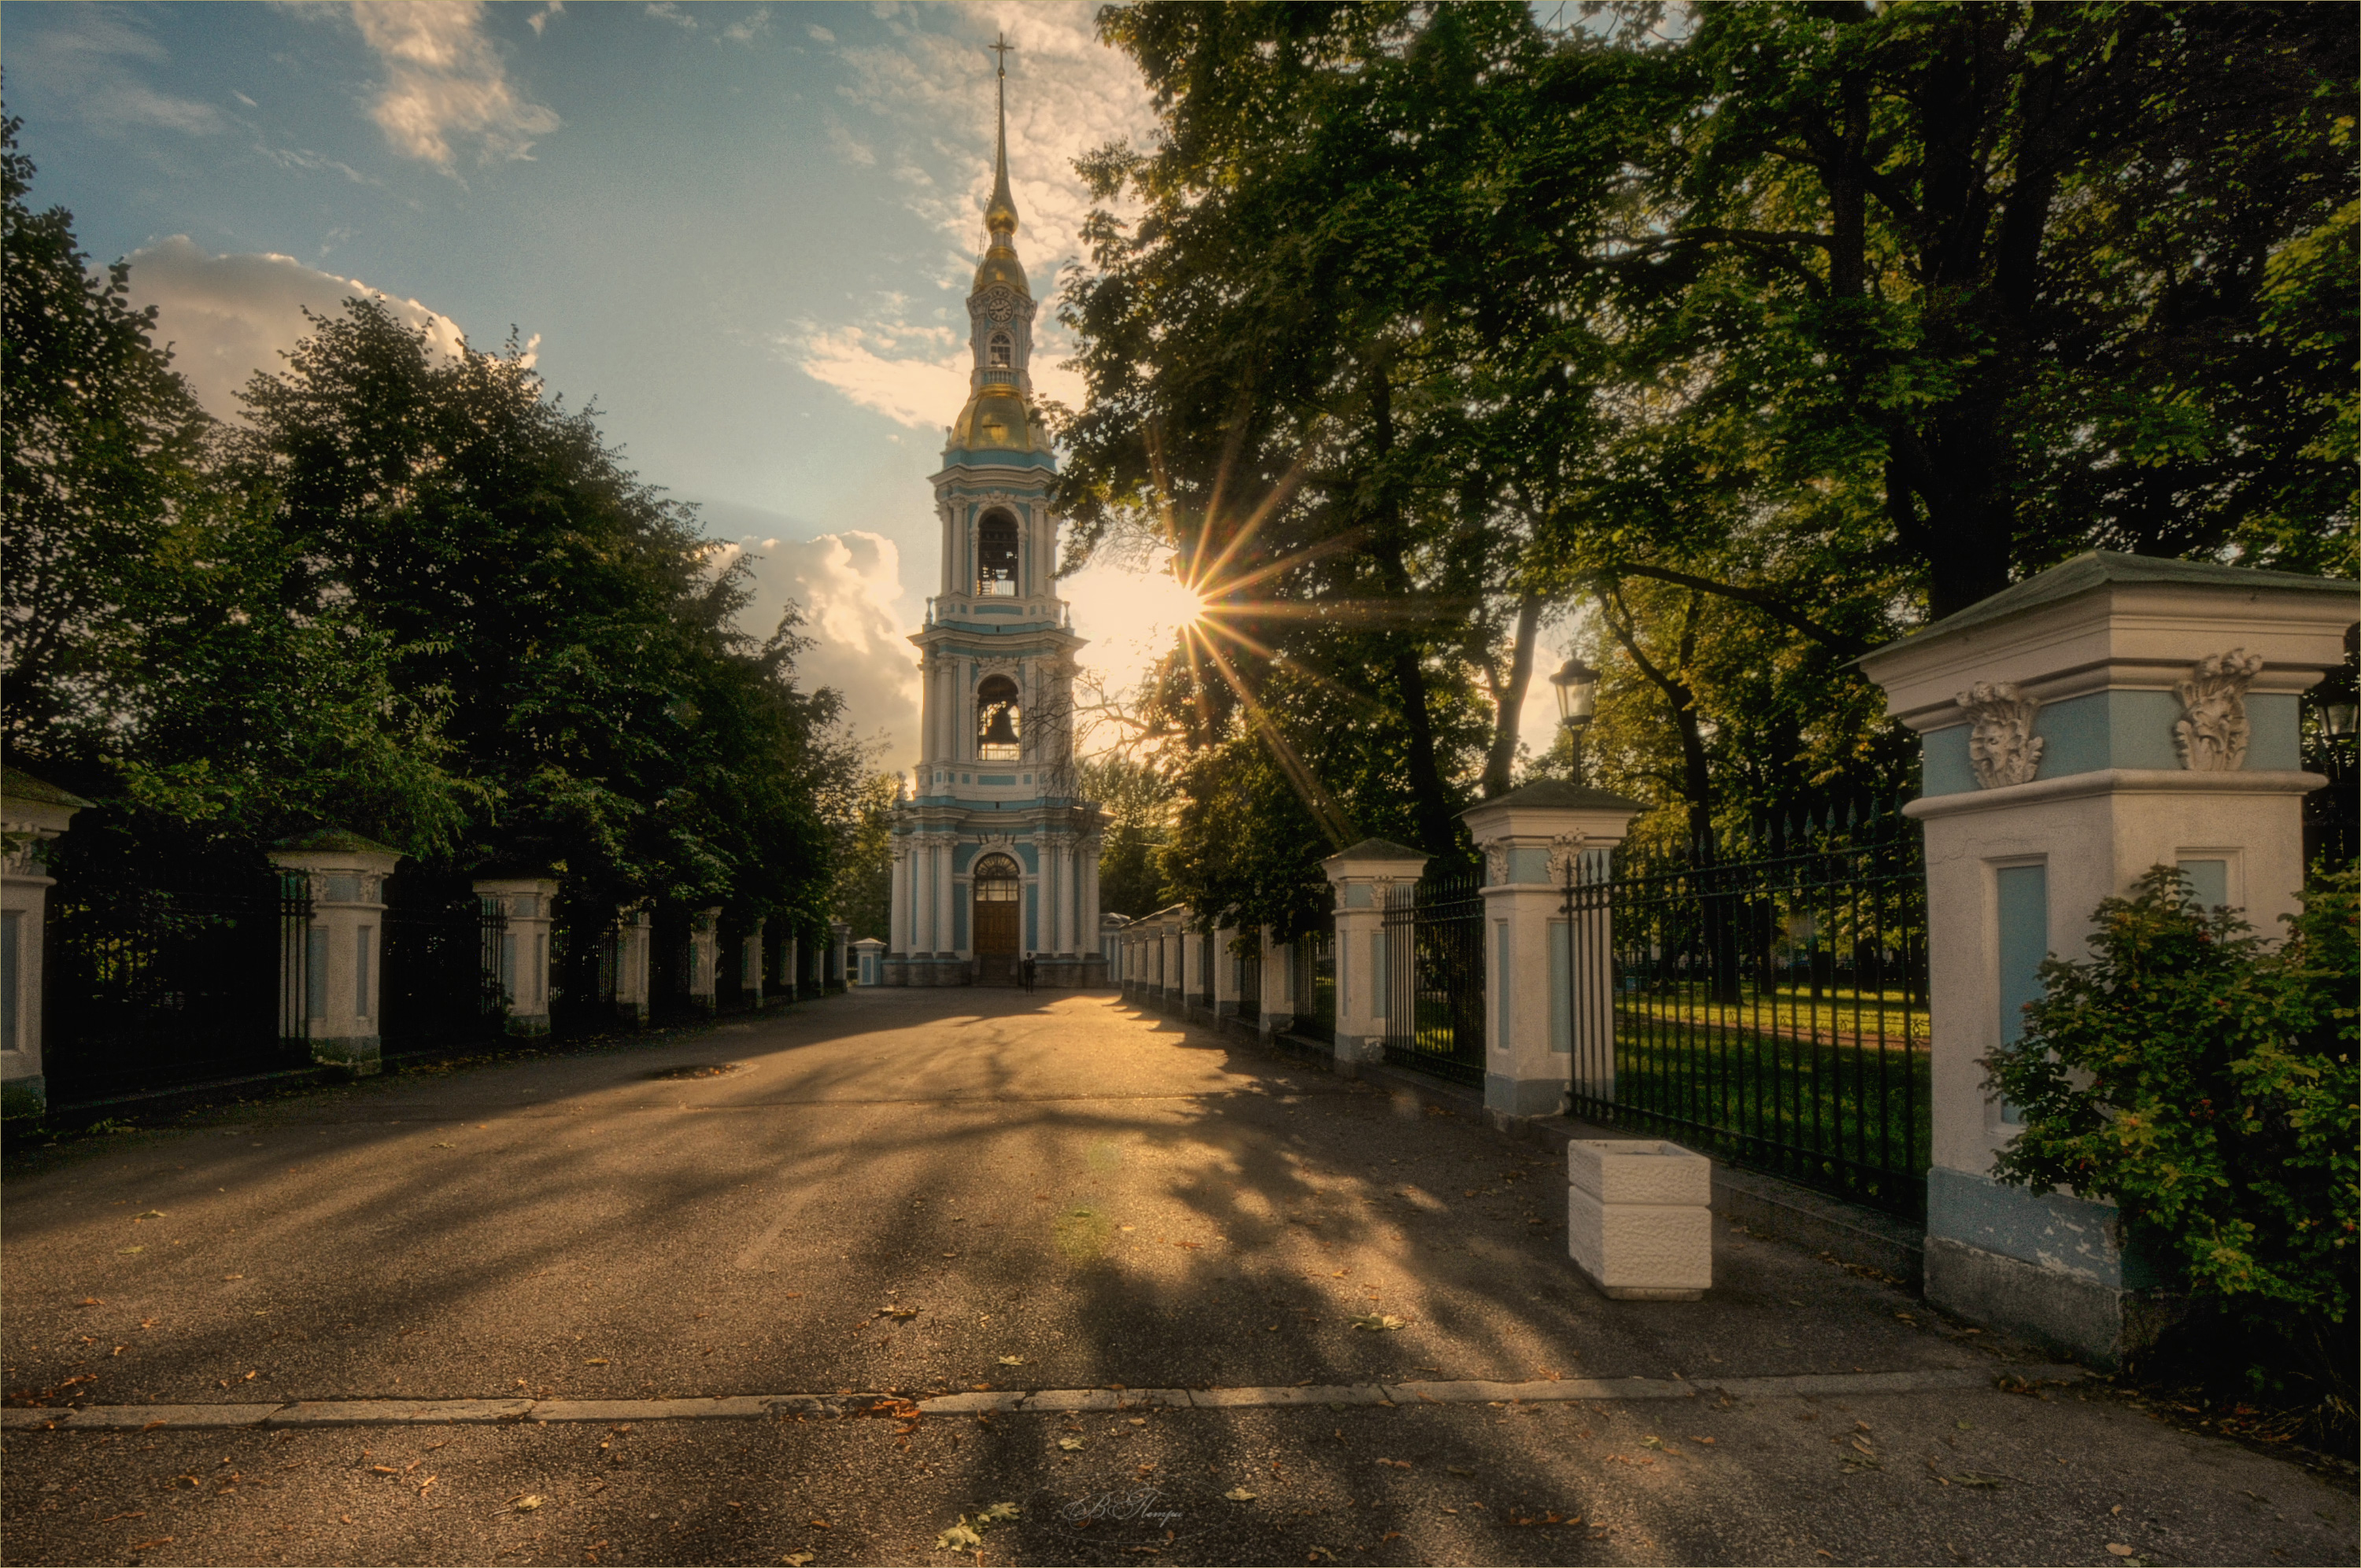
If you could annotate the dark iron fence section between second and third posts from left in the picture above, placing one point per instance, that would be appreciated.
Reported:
(440, 986)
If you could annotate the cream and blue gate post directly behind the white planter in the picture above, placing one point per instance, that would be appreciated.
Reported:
(1531, 986)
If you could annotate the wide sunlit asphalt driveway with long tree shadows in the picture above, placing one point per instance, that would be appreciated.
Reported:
(934, 1194)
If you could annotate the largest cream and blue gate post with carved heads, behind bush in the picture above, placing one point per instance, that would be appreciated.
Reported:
(2079, 729)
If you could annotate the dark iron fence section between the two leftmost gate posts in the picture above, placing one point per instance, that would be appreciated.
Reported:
(171, 969)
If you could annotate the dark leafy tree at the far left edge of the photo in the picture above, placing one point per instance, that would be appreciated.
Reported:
(148, 653)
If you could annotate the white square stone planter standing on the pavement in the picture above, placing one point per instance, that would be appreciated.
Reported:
(1637, 1217)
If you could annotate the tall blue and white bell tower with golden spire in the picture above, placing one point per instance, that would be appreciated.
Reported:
(995, 858)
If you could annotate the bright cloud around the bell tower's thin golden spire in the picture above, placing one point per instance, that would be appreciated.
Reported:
(934, 103)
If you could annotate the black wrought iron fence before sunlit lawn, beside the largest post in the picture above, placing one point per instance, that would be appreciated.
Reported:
(1767, 1007)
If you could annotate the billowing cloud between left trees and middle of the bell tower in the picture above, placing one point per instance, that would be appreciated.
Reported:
(851, 592)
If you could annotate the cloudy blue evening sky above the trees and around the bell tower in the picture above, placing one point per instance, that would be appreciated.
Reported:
(745, 233)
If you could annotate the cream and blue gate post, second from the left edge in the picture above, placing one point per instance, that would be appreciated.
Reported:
(346, 943)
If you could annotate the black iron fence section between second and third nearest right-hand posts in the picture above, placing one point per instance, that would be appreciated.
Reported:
(1432, 974)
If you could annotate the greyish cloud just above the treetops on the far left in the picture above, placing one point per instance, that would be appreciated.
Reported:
(233, 315)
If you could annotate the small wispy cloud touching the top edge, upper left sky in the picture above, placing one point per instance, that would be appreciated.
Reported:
(447, 81)
